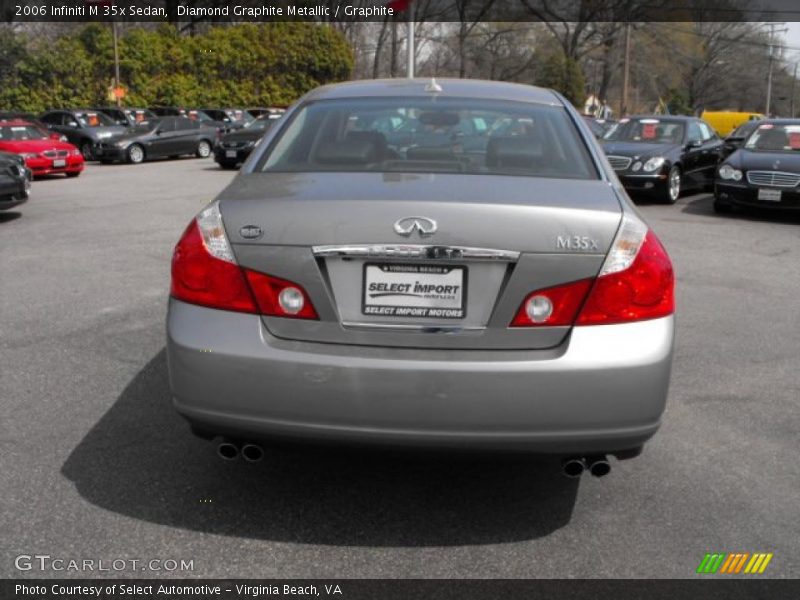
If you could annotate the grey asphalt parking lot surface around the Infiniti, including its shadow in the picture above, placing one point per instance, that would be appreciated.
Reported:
(94, 463)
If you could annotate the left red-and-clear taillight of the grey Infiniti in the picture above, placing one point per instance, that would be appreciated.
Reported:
(205, 272)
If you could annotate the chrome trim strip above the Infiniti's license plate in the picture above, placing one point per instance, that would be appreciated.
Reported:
(417, 251)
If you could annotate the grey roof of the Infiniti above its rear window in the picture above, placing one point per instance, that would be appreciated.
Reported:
(469, 88)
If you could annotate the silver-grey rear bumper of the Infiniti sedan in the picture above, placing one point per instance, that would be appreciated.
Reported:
(603, 390)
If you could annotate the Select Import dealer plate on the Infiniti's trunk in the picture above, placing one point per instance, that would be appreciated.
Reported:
(415, 291)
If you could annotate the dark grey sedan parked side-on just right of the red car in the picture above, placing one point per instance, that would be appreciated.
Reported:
(159, 138)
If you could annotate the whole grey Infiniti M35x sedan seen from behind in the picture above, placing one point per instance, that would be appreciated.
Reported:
(448, 263)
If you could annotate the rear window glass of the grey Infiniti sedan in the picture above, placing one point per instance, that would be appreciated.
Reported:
(431, 135)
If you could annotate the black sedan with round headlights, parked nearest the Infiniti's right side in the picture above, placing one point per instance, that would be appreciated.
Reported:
(663, 155)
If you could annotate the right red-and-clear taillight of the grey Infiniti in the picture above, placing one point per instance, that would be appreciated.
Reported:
(635, 283)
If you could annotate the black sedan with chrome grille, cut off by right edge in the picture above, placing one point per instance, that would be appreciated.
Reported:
(765, 172)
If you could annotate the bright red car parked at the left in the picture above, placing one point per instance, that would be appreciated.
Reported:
(44, 154)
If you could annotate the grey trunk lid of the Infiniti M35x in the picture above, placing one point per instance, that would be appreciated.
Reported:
(497, 238)
